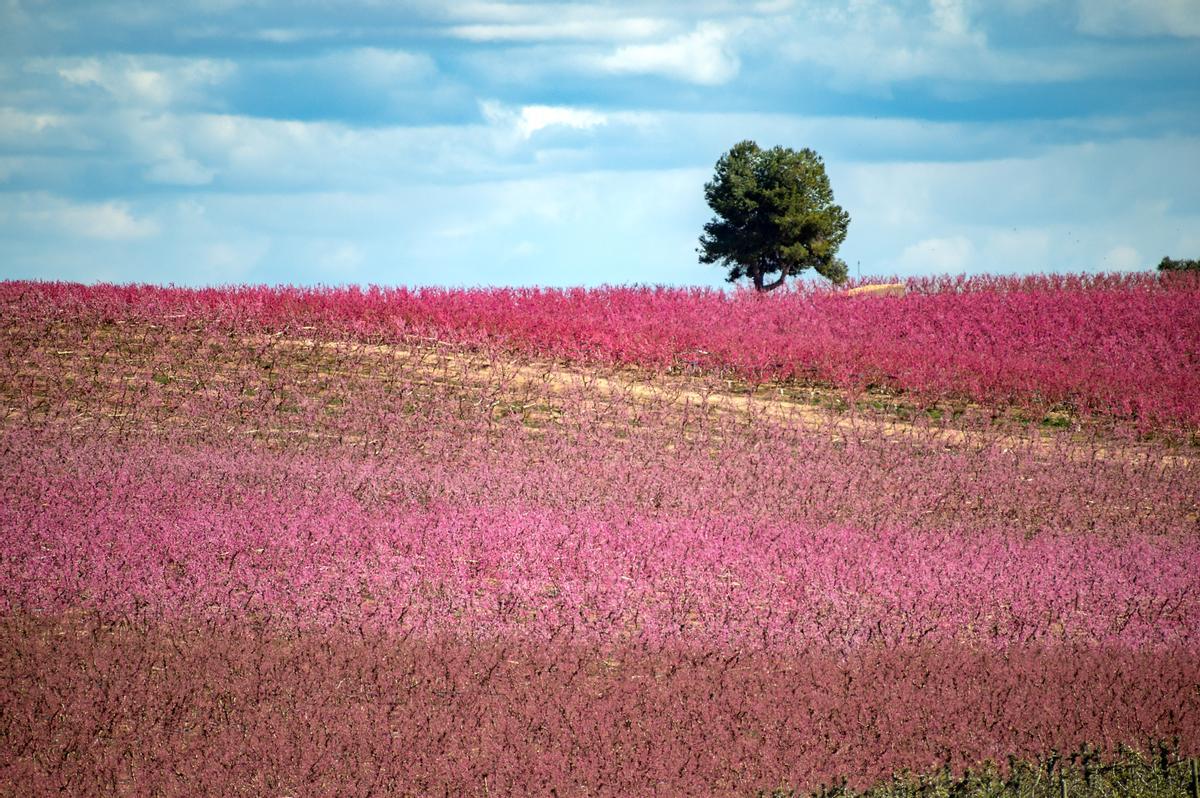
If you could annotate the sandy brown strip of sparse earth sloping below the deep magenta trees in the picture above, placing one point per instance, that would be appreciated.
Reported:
(107, 373)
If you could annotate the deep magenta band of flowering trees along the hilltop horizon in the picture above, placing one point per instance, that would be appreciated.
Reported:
(1123, 346)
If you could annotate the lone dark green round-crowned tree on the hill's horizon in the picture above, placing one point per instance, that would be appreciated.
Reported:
(775, 214)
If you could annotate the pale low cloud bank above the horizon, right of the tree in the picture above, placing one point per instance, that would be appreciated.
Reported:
(1060, 209)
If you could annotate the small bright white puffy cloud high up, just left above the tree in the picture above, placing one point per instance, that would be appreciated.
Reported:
(704, 57)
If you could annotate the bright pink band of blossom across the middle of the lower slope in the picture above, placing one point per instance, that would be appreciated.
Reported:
(143, 532)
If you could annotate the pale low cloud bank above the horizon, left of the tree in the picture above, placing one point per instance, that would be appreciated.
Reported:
(584, 229)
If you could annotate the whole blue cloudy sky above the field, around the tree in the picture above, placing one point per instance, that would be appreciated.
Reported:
(308, 142)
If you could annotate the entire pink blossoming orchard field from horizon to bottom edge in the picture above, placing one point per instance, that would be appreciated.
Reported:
(602, 543)
